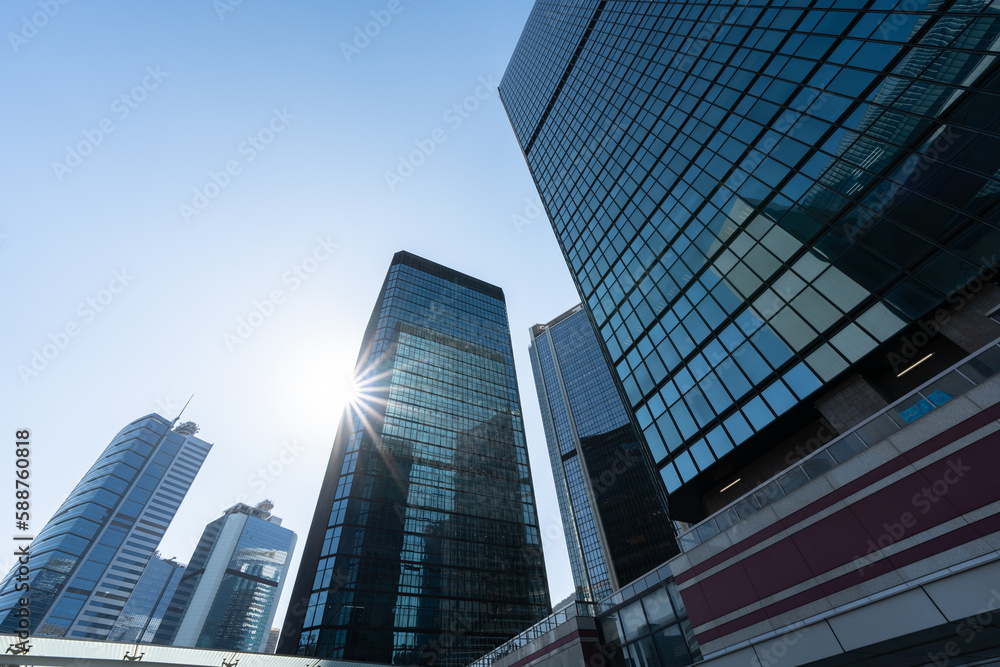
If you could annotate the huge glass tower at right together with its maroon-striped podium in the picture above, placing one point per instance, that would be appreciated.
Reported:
(782, 219)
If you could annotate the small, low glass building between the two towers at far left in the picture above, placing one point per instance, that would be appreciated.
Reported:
(142, 614)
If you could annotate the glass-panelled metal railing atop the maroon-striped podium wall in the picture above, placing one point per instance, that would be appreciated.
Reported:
(973, 370)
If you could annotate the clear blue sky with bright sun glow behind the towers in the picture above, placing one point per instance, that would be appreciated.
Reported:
(122, 253)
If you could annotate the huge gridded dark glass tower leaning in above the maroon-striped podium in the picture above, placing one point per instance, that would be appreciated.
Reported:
(758, 200)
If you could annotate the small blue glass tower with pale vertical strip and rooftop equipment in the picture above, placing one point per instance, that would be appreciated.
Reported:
(227, 597)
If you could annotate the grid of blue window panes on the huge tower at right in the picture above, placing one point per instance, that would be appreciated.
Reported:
(634, 124)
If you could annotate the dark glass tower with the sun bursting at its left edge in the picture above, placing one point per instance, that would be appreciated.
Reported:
(424, 547)
